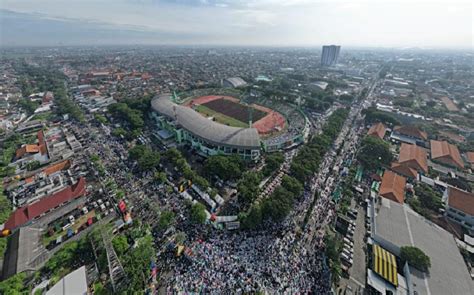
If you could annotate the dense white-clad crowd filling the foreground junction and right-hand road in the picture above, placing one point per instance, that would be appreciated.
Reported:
(279, 259)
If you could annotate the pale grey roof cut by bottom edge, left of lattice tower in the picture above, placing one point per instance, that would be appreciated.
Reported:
(73, 283)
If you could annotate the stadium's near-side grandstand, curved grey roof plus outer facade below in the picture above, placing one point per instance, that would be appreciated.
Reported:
(204, 135)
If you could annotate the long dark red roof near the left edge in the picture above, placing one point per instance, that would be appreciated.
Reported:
(29, 212)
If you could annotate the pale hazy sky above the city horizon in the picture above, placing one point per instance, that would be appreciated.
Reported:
(373, 23)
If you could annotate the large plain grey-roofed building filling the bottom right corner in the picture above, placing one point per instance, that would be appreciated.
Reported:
(395, 225)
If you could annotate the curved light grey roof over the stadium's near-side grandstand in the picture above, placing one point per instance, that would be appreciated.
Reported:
(204, 128)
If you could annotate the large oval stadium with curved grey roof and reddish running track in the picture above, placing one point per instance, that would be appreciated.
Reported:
(223, 124)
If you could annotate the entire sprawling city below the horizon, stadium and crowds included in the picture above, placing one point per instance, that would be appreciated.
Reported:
(178, 170)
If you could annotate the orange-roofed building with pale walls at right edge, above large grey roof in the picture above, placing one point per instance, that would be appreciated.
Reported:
(460, 207)
